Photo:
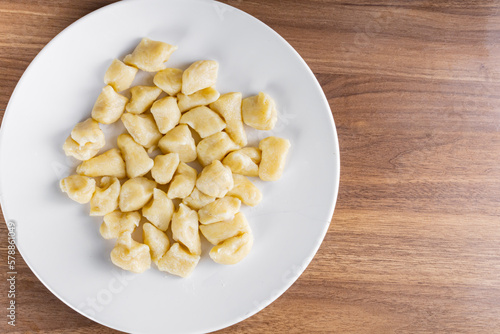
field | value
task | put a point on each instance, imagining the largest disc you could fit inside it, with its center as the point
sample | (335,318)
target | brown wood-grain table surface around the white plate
(414,245)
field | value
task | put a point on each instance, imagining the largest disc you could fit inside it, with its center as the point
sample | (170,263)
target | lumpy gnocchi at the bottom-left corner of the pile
(131,255)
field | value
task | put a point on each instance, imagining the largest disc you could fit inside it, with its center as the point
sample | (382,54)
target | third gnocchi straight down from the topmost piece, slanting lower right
(142,128)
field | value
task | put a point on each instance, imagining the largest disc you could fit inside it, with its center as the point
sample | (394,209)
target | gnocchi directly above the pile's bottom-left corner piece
(117,222)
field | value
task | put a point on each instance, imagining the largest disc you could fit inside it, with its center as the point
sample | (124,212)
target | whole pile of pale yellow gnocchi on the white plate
(146,181)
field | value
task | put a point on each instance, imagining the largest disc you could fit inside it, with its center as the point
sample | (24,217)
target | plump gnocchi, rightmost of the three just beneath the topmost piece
(199,75)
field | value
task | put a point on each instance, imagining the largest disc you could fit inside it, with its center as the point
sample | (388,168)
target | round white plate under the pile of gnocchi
(61,243)
